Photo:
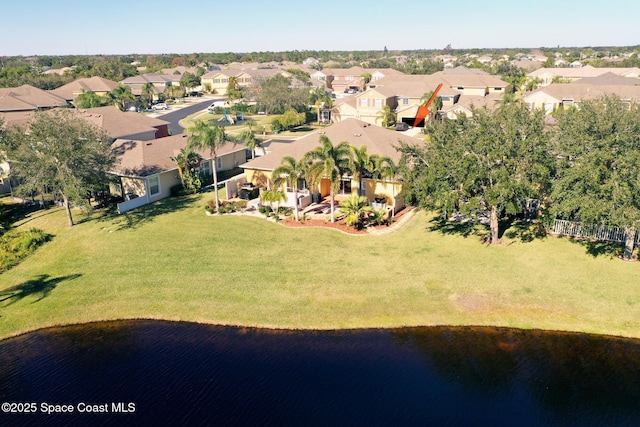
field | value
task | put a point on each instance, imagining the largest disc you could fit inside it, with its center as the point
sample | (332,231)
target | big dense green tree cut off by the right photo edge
(598,179)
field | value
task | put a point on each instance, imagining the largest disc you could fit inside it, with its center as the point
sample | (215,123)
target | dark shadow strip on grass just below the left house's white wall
(138,217)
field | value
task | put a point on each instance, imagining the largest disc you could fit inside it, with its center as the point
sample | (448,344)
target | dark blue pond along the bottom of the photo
(165,373)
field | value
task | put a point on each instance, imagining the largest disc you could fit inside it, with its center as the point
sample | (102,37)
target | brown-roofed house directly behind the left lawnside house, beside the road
(119,124)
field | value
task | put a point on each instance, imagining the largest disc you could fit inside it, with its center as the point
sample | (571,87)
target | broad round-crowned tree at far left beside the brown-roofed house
(63,152)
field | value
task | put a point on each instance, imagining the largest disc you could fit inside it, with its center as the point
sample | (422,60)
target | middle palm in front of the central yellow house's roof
(329,162)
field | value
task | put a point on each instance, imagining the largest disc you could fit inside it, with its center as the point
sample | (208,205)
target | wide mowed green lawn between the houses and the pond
(171,261)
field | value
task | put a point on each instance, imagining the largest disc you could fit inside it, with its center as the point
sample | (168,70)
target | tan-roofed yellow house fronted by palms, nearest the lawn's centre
(377,140)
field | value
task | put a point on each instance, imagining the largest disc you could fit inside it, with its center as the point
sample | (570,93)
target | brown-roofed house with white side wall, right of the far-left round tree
(147,172)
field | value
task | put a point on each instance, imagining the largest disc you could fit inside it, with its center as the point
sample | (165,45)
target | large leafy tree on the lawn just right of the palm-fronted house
(491,161)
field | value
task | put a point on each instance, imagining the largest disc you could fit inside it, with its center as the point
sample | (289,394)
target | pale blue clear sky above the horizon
(114,27)
